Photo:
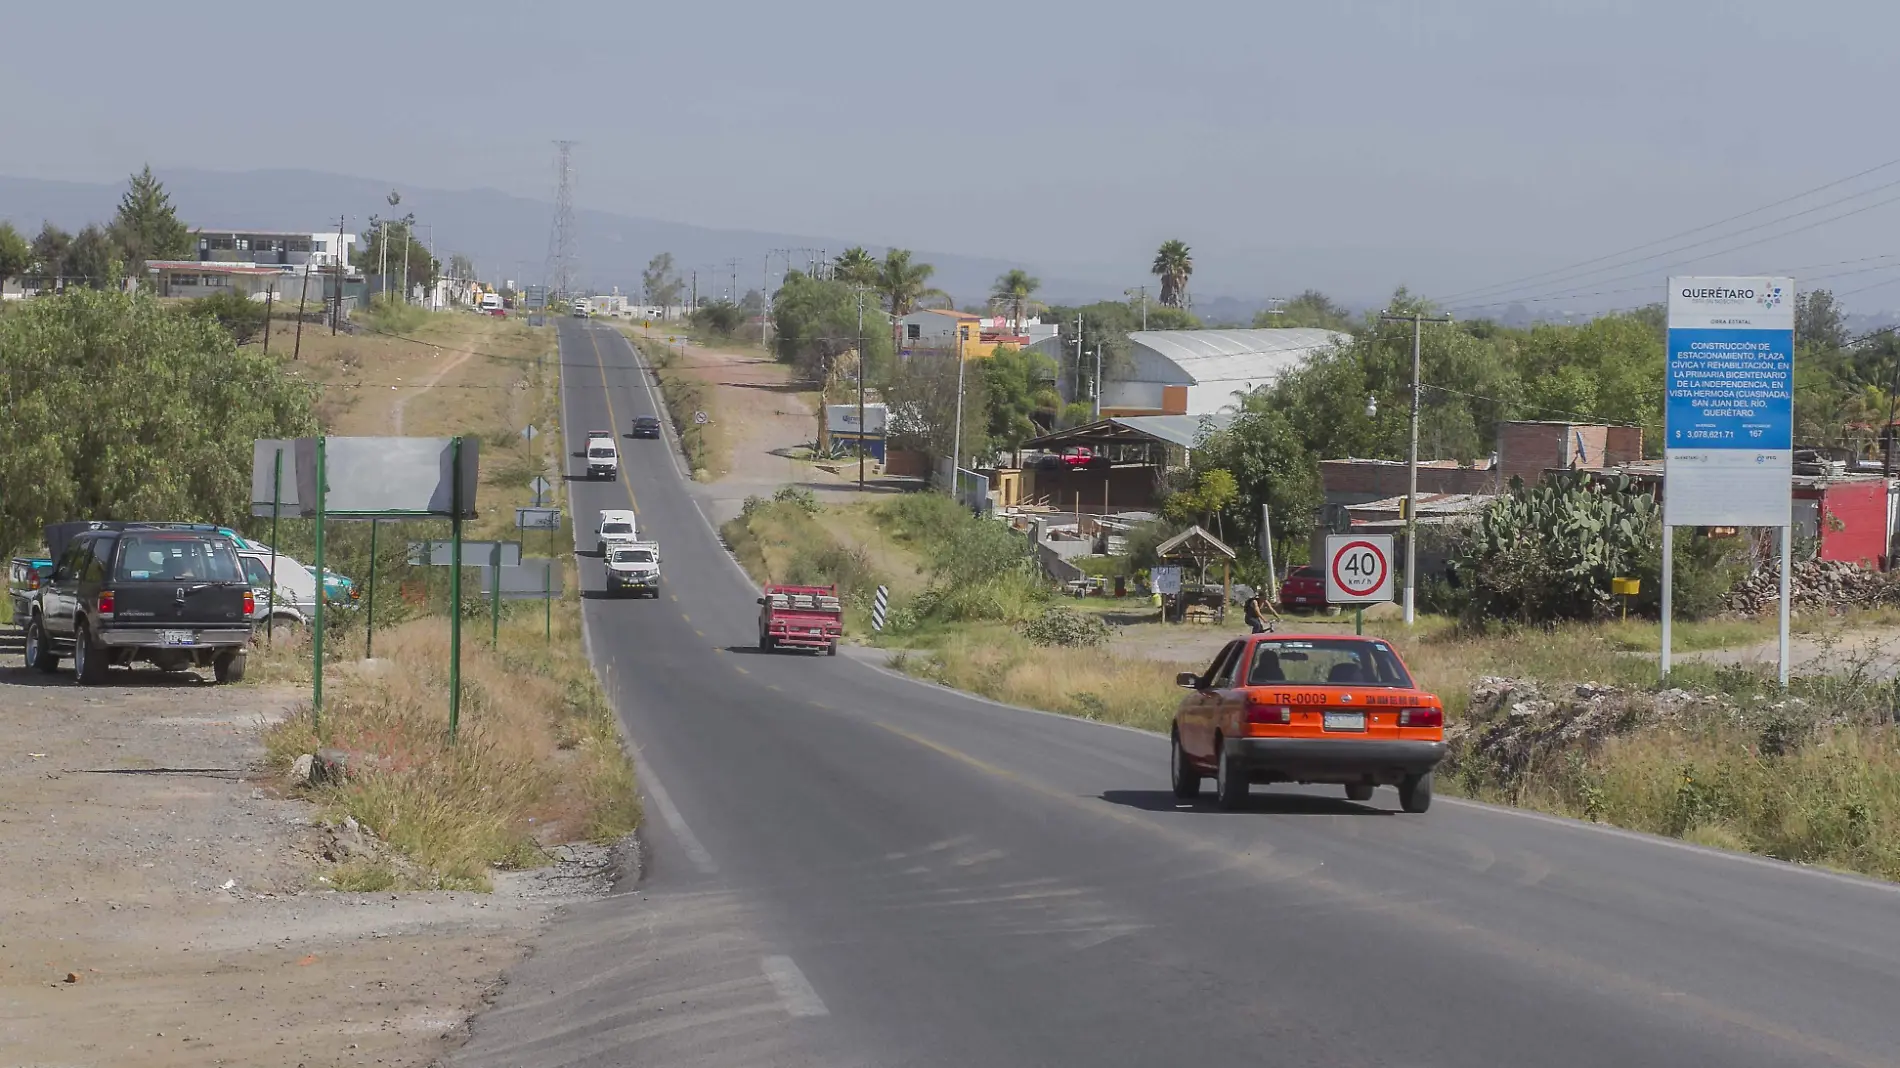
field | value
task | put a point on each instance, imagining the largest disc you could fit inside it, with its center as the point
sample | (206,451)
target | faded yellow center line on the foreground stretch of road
(1263,864)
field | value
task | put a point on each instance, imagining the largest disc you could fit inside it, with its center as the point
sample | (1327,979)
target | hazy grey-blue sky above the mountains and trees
(1350,145)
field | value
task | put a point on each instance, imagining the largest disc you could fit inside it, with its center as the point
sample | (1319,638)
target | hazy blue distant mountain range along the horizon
(504,235)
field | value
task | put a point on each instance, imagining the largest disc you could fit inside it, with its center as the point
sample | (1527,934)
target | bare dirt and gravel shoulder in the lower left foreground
(162,900)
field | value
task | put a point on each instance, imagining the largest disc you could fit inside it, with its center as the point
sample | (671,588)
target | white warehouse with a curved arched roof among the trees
(1198,373)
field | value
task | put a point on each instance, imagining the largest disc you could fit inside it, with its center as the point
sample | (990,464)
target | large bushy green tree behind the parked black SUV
(115,408)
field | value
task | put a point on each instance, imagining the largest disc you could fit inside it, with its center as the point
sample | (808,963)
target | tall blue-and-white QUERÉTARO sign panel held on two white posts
(1728,432)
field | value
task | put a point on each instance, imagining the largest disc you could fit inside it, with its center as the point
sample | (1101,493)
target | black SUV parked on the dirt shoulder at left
(124,592)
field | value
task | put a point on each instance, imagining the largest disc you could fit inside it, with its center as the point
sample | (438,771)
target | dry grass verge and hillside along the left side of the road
(539,755)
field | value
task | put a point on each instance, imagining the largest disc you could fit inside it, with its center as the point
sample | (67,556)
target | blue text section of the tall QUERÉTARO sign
(1730,389)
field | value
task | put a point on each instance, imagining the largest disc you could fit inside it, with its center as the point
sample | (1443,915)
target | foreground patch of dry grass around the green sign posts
(537,759)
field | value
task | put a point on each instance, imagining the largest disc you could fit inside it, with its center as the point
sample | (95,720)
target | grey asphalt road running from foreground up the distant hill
(852,869)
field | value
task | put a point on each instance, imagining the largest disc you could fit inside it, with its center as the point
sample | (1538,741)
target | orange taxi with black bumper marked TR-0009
(1308,710)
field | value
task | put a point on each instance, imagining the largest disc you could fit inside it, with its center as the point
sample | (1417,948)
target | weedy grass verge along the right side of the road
(1812,776)
